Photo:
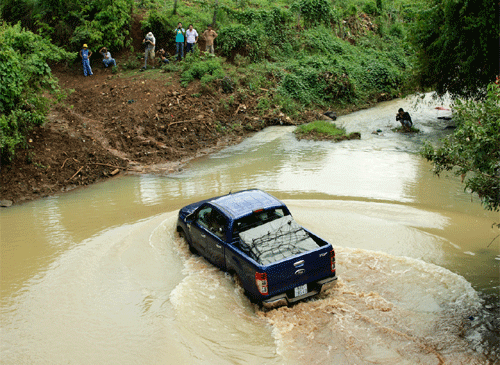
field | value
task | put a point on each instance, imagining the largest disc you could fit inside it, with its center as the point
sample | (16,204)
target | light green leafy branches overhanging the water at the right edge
(473,151)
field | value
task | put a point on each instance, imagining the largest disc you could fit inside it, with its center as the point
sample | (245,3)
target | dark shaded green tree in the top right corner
(458,46)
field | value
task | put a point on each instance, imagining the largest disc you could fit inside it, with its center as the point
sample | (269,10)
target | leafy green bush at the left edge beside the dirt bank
(24,78)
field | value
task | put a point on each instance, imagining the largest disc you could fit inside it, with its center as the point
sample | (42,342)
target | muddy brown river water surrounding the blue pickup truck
(99,276)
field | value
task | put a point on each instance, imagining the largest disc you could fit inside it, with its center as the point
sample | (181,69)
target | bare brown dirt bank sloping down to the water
(127,123)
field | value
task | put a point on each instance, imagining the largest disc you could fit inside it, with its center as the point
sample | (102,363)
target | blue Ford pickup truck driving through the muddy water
(253,236)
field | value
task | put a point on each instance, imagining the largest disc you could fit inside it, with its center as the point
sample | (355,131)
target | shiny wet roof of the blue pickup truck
(245,202)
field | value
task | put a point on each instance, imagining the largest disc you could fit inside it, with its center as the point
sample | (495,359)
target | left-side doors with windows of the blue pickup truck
(209,232)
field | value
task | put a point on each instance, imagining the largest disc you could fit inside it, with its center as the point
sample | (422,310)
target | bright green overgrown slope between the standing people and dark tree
(313,53)
